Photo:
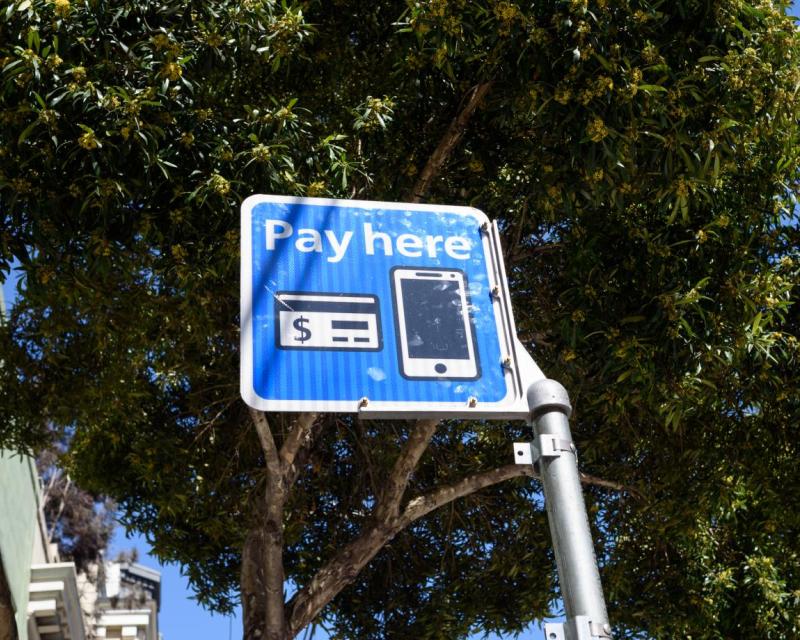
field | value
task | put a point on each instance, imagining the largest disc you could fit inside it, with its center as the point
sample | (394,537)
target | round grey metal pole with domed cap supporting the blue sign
(578,574)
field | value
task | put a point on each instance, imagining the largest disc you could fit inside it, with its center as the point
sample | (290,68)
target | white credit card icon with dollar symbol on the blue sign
(327,321)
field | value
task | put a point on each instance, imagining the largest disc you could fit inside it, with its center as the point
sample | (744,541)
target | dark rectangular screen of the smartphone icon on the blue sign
(435,322)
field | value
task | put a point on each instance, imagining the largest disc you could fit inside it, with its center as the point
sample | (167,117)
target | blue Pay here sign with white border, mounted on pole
(385,309)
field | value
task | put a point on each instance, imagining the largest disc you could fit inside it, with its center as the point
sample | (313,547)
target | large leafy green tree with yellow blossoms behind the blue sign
(641,158)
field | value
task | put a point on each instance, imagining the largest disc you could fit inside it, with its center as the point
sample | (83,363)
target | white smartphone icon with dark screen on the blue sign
(435,335)
